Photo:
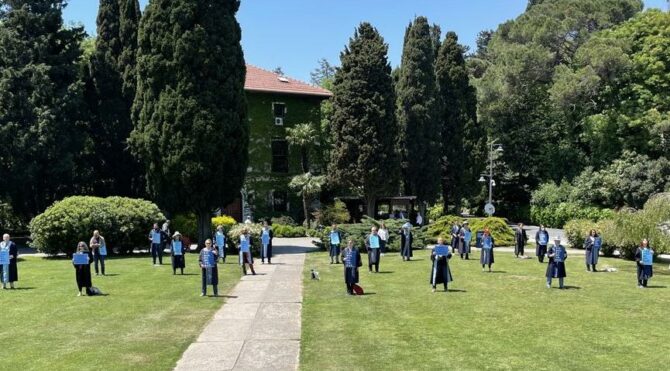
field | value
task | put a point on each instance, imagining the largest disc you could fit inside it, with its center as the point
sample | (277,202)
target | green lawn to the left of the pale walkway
(146,321)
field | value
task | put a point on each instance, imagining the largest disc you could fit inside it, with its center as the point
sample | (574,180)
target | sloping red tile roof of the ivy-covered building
(260,80)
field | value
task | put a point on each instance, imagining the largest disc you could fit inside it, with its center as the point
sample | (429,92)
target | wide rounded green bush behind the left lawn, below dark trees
(124,222)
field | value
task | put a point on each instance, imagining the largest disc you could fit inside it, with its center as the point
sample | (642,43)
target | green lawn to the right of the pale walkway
(502,320)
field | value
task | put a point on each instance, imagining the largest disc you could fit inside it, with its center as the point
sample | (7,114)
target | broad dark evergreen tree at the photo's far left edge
(41,127)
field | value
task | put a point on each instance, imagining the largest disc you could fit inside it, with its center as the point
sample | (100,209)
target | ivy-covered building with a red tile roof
(275,103)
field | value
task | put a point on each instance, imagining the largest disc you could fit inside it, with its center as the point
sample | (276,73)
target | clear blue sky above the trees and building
(295,34)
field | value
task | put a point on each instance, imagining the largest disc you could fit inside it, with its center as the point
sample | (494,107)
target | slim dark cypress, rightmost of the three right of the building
(463,139)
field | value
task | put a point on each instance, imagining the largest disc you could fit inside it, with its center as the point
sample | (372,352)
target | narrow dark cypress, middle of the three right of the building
(416,112)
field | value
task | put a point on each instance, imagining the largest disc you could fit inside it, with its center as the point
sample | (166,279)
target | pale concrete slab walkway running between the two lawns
(259,325)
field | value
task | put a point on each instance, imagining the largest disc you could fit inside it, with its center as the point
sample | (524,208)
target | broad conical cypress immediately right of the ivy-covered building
(363,121)
